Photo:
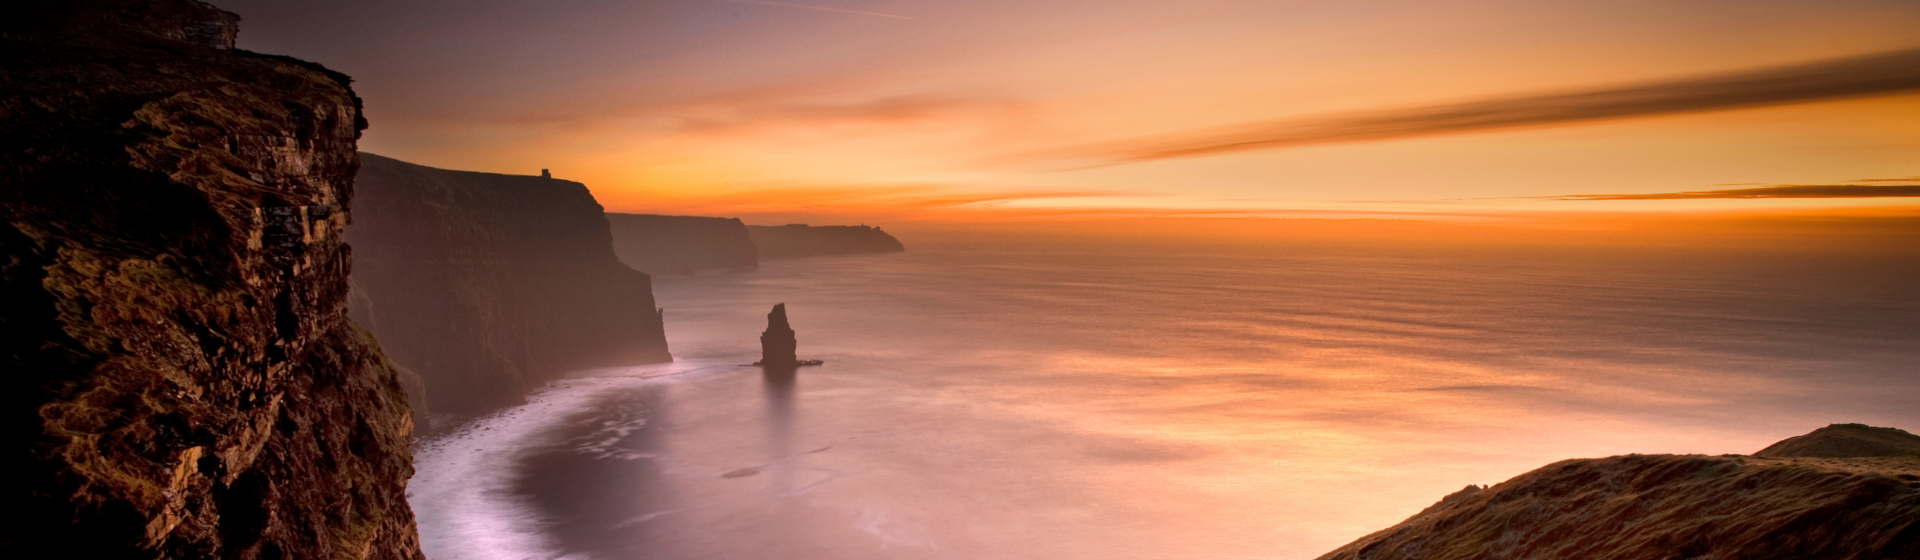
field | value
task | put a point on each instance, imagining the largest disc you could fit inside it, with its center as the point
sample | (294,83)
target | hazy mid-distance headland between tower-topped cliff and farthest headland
(665,246)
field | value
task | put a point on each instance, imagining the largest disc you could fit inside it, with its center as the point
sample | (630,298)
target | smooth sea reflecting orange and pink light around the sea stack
(1101,402)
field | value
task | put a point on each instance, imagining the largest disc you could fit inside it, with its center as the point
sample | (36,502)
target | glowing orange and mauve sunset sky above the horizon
(1047,110)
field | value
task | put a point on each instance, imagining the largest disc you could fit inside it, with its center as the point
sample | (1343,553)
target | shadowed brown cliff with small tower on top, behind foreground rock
(491,285)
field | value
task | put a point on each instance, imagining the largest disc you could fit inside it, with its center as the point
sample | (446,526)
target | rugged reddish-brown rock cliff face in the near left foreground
(181,377)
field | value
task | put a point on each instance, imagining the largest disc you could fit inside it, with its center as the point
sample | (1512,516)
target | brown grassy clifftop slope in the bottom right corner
(1660,507)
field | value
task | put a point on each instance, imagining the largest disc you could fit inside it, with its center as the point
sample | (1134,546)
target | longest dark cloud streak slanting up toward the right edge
(1848,78)
